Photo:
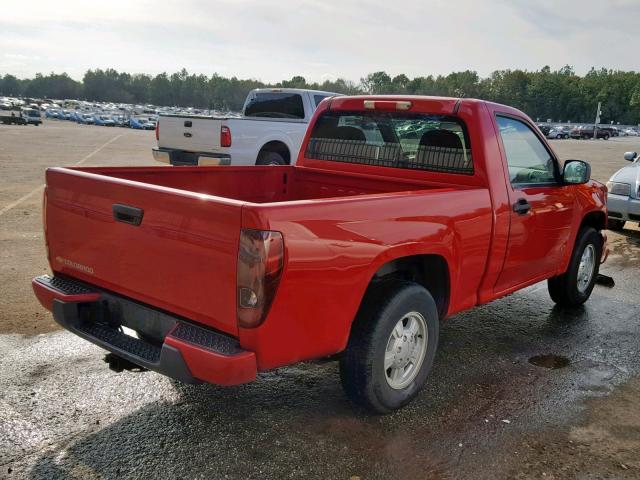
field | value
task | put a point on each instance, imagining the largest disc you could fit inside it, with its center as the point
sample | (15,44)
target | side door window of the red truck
(528,159)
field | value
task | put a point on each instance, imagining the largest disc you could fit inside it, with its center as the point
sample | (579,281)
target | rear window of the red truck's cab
(437,143)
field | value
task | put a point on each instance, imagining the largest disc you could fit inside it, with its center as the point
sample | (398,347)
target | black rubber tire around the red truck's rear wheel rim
(362,370)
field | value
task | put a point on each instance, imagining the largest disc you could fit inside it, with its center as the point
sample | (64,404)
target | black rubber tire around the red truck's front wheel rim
(564,289)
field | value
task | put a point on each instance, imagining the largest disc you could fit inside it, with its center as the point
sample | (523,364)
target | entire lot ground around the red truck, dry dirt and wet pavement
(486,412)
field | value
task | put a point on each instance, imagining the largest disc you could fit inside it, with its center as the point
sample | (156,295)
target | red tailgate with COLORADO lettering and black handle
(181,258)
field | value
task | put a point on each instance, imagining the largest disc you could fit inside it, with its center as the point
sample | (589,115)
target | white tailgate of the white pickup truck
(193,134)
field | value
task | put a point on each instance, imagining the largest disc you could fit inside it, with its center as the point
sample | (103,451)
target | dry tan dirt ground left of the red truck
(25,153)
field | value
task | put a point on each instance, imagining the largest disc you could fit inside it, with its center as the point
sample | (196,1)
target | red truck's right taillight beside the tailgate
(260,264)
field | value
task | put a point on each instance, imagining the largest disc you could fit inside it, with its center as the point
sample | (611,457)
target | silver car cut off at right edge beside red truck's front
(623,199)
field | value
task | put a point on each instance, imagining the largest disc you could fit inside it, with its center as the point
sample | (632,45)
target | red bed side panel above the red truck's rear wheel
(334,249)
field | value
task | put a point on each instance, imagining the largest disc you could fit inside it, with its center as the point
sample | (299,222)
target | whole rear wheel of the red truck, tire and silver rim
(391,348)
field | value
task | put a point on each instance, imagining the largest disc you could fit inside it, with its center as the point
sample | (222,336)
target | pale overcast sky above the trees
(319,39)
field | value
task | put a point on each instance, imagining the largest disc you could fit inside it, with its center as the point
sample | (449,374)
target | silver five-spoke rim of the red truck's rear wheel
(405,351)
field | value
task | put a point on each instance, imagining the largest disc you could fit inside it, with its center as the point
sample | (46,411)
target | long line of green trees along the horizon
(560,95)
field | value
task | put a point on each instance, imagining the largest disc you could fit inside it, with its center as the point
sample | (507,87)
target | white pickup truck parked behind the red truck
(270,131)
